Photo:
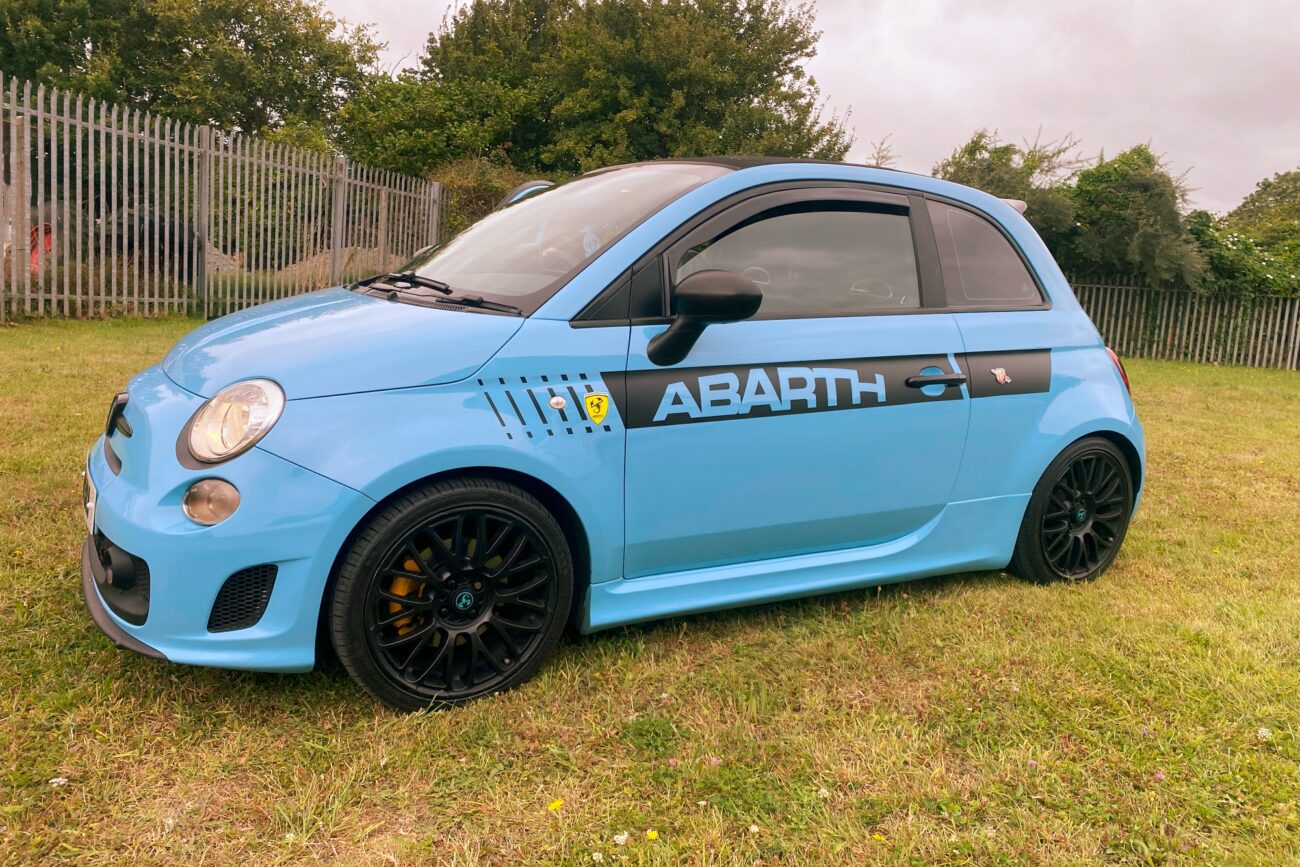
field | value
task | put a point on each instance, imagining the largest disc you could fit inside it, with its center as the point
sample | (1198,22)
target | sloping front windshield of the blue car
(521,254)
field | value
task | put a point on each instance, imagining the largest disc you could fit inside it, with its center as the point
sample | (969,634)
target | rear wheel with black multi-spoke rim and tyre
(1077,517)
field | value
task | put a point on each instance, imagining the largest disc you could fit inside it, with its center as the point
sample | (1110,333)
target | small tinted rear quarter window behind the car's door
(981,267)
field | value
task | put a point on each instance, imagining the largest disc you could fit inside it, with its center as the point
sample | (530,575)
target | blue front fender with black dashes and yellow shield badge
(501,419)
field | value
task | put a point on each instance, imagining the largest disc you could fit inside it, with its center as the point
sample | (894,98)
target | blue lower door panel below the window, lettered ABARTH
(803,479)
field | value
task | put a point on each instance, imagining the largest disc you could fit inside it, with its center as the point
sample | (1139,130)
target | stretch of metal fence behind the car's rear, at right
(1191,327)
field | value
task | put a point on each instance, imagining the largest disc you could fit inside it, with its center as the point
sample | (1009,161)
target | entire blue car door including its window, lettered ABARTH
(805,428)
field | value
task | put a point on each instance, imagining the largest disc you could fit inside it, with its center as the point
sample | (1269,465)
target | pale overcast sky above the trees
(1214,86)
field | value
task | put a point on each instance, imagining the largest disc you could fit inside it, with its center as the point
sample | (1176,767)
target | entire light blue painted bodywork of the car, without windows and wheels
(671,519)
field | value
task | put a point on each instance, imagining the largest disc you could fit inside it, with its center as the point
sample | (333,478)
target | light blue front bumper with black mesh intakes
(289,518)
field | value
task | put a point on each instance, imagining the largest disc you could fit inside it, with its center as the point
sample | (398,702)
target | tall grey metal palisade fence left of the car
(109,210)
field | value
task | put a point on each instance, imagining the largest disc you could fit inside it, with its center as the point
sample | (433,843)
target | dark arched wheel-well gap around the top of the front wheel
(571,524)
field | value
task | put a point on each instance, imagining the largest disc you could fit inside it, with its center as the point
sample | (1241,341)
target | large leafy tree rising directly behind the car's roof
(565,86)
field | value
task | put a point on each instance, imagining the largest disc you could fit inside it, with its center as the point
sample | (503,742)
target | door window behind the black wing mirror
(818,261)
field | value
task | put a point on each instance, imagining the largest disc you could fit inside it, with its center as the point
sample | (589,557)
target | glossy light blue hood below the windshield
(337,343)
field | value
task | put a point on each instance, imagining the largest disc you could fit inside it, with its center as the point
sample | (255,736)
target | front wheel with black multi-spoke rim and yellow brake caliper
(457,591)
